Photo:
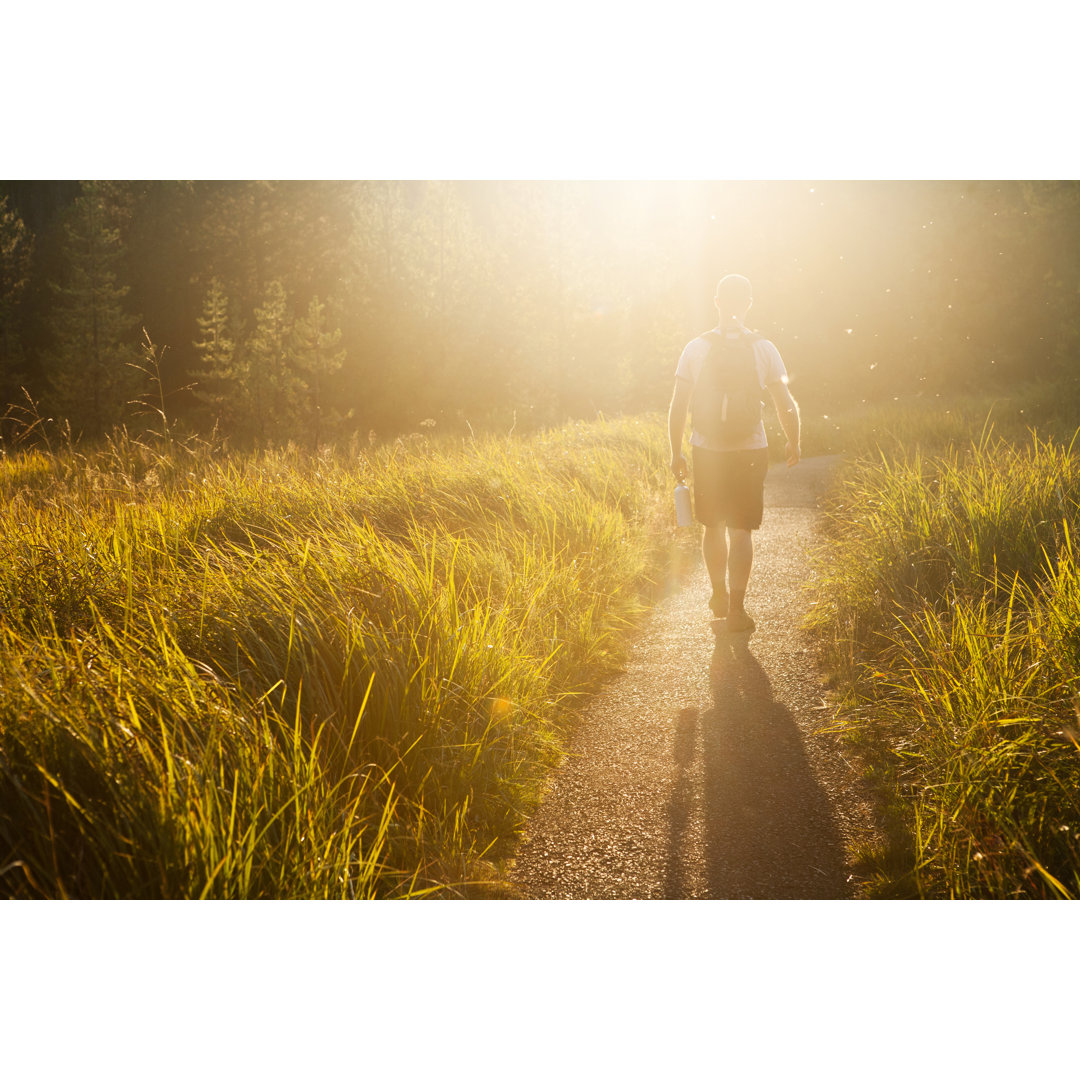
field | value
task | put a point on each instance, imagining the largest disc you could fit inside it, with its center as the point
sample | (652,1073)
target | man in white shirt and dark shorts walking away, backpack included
(730,462)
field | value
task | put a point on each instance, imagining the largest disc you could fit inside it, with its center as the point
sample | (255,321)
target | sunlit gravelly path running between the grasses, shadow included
(698,774)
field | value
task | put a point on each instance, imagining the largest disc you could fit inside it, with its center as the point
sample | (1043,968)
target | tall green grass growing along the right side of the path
(950,601)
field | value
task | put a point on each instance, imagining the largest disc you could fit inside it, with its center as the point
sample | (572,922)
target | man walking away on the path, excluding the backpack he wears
(730,475)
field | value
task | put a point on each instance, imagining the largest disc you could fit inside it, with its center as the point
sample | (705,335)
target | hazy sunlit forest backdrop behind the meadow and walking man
(312,310)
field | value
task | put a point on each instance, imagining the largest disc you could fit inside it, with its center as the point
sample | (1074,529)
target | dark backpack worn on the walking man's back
(727,399)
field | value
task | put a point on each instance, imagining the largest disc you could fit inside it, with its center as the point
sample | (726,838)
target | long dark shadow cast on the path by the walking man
(769,832)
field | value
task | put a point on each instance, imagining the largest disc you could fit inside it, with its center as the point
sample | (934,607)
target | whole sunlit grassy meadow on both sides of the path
(280,674)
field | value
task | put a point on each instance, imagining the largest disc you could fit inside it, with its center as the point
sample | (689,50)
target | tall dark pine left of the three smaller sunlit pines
(94,339)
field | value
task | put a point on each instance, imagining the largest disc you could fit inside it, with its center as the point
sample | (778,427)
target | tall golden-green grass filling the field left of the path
(281,676)
